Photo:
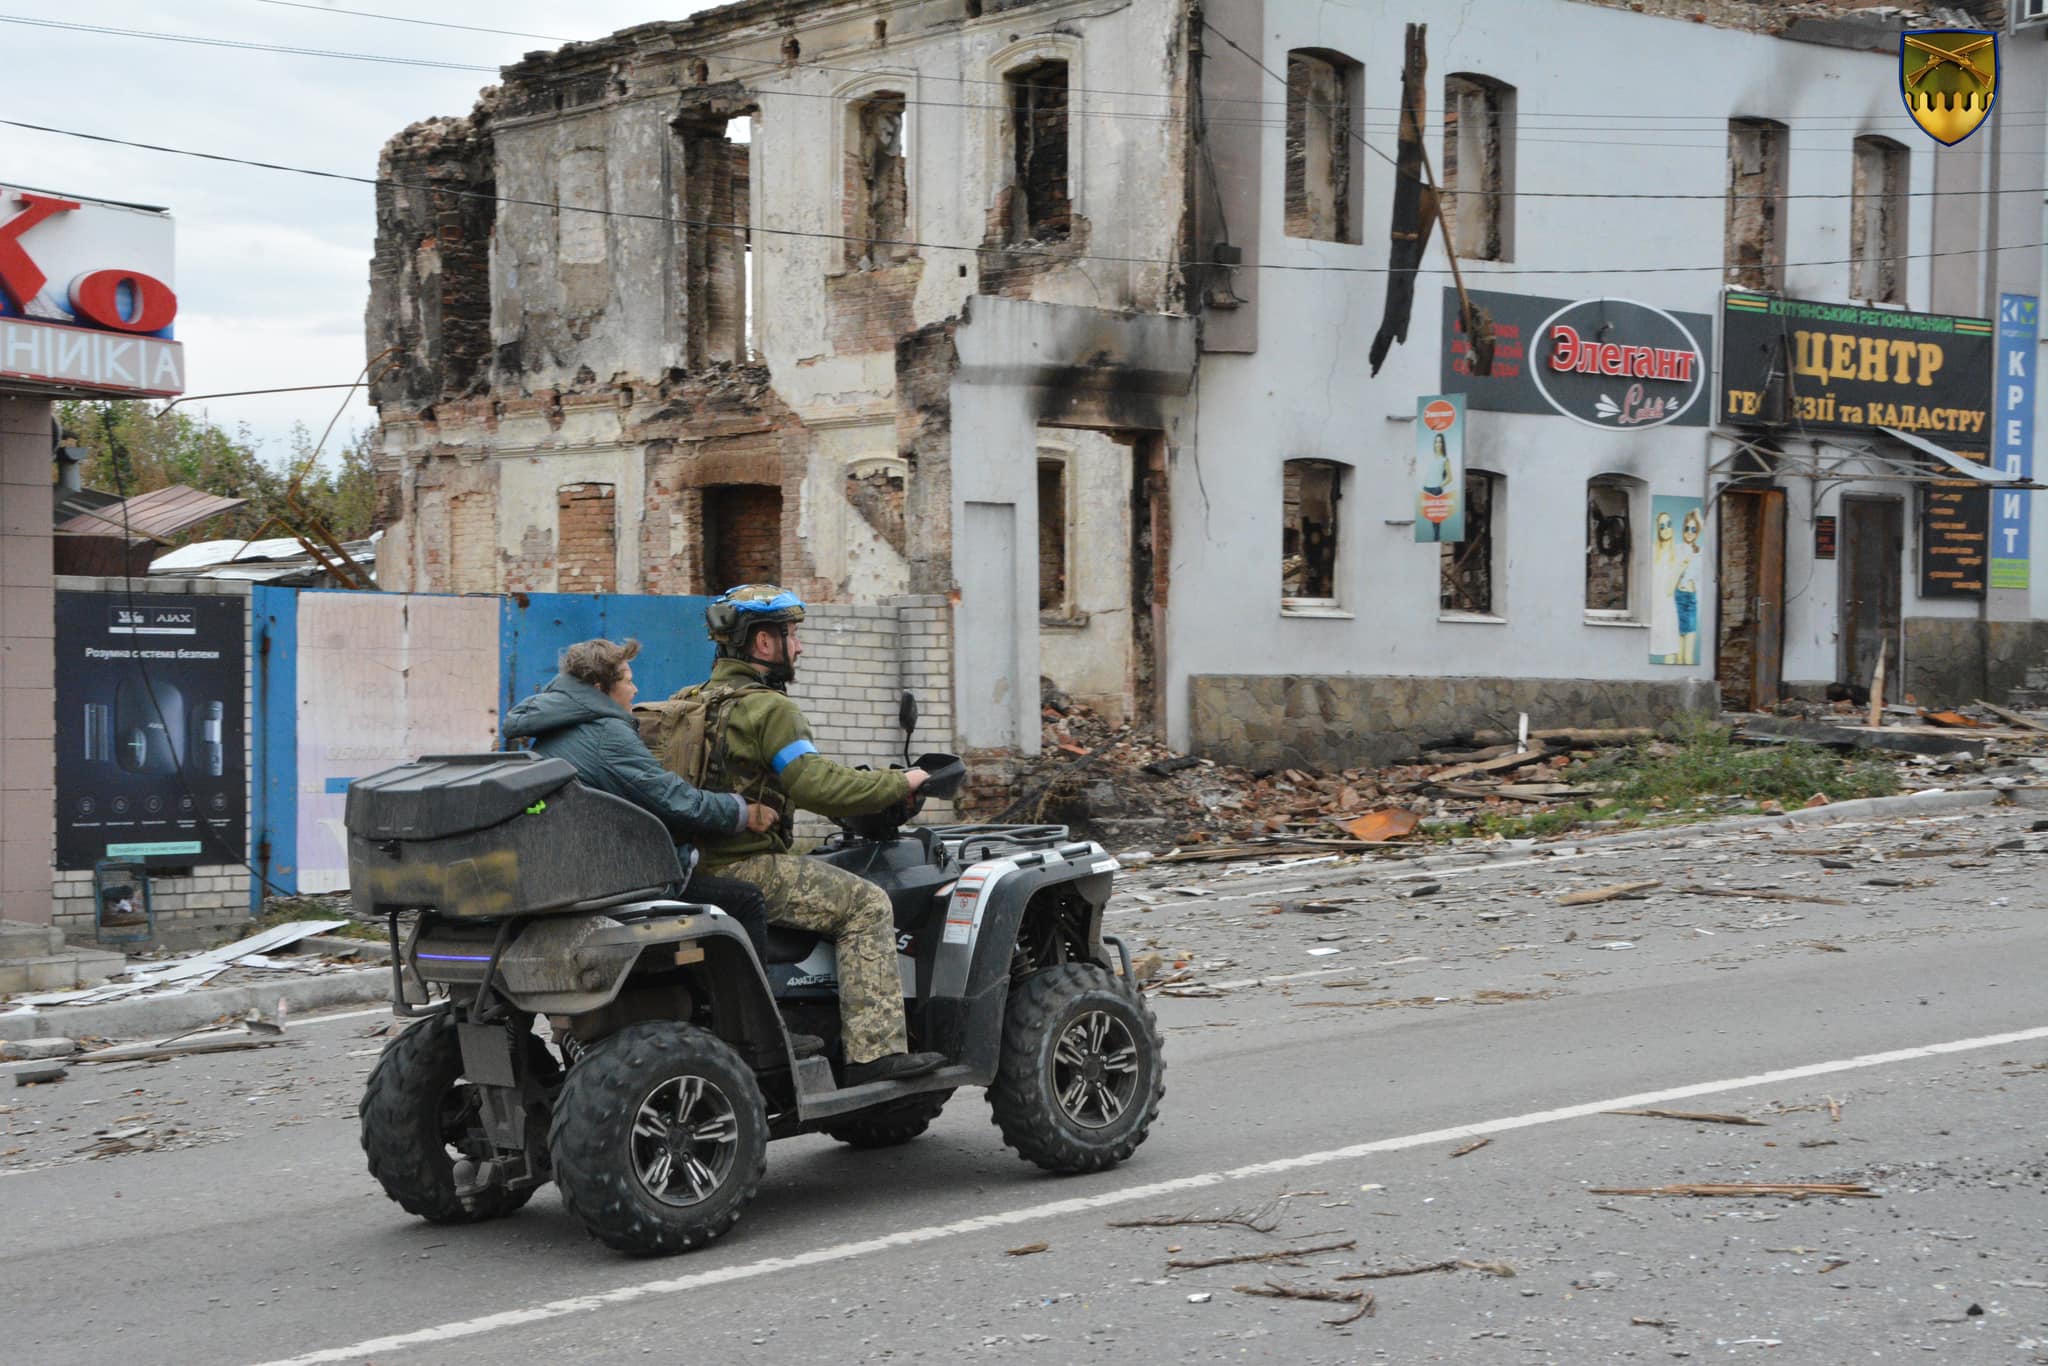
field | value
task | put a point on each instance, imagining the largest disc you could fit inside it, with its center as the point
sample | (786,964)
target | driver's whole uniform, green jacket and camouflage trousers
(761,749)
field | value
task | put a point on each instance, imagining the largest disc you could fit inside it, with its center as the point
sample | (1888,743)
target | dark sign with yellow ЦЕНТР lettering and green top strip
(1852,370)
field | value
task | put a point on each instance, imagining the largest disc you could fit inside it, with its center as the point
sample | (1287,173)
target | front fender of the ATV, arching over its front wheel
(988,906)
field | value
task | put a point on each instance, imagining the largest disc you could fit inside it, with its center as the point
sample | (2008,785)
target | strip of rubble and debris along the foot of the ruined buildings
(1121,785)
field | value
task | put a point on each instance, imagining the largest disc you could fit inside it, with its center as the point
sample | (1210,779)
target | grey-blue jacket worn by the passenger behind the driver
(568,720)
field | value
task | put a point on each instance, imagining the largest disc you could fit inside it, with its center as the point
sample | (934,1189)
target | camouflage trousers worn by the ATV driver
(806,894)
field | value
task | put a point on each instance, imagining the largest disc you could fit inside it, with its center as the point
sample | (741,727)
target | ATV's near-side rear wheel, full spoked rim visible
(660,1138)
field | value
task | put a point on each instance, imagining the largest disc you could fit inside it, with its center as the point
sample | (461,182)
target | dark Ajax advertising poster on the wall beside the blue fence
(151,755)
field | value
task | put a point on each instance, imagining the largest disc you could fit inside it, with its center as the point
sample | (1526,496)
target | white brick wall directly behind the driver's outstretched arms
(857,663)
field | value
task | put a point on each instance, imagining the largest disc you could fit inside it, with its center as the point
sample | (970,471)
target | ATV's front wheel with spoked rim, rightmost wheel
(1082,1070)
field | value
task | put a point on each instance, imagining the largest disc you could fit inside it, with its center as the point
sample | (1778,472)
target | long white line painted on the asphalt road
(912,1238)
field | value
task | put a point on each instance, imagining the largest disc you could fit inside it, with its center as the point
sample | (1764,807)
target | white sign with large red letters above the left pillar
(87,302)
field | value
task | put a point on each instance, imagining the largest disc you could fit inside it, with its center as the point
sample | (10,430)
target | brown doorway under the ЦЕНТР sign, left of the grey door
(1752,644)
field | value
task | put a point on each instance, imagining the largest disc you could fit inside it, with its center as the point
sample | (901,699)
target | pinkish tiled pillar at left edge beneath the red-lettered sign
(28,667)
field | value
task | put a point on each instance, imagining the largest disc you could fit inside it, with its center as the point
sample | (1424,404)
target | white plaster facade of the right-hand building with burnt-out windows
(1308,394)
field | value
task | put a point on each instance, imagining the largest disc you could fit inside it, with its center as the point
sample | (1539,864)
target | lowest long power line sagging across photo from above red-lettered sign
(1050,253)
